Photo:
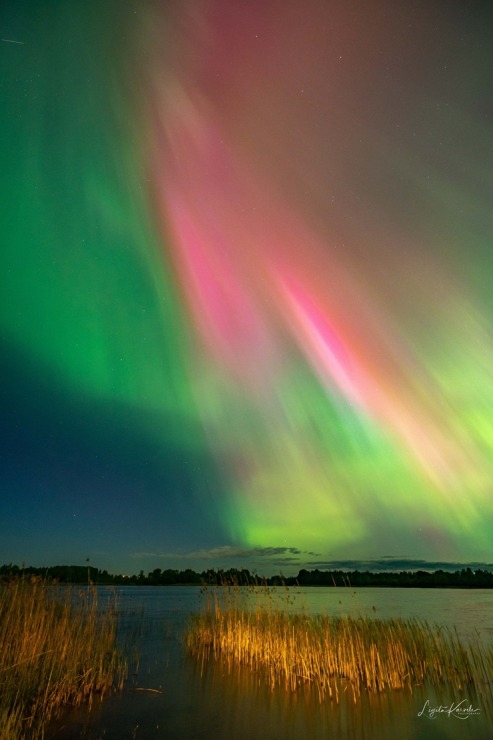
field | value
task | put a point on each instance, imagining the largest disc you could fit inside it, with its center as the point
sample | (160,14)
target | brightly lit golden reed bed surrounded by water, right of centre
(334,654)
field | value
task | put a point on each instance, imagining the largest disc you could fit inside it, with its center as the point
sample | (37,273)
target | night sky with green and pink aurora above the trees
(246,283)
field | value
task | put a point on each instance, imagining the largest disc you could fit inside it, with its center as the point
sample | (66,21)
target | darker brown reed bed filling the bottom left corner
(57,648)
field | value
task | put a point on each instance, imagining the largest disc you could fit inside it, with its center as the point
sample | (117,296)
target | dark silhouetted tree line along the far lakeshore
(84,574)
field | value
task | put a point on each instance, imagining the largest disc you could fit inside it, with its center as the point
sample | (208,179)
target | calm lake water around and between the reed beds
(171,695)
